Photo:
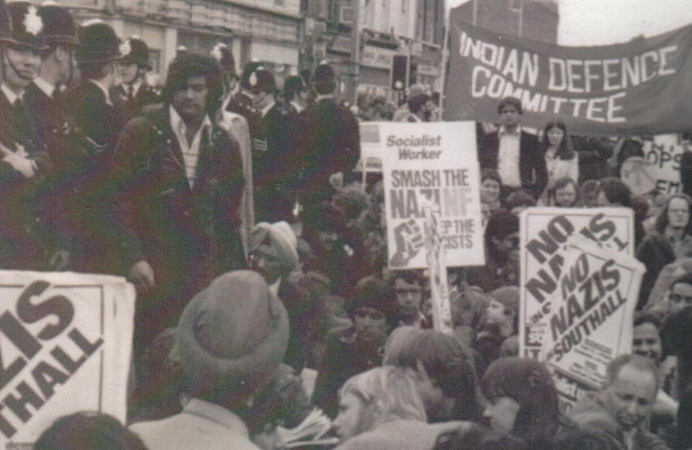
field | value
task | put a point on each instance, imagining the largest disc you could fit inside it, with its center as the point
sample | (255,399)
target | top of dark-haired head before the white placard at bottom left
(88,431)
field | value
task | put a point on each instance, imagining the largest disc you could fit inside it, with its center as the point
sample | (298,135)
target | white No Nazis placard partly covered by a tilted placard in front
(545,234)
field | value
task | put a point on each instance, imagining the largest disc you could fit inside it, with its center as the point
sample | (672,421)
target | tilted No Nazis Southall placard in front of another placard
(590,322)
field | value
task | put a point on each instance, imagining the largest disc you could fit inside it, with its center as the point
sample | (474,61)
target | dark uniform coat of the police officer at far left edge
(23,234)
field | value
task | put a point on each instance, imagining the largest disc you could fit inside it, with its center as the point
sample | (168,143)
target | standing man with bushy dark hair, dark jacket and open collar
(179,182)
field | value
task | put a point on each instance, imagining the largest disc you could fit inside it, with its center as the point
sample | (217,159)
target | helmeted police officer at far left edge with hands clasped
(23,165)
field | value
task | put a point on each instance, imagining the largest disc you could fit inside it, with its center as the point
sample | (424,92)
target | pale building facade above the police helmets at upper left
(265,30)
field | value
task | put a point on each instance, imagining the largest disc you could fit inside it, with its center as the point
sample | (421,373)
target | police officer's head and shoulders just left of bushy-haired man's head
(134,94)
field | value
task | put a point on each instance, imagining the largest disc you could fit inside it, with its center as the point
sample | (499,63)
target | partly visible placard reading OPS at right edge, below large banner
(665,152)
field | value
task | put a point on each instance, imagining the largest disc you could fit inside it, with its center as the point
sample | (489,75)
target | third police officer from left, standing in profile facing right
(98,123)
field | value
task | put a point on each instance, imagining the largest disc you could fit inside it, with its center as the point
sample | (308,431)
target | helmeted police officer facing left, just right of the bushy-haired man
(274,162)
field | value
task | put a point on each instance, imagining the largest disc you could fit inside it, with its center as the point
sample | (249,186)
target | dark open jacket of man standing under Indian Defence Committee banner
(532,170)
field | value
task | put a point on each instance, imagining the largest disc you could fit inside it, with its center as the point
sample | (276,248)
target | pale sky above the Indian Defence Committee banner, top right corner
(602,22)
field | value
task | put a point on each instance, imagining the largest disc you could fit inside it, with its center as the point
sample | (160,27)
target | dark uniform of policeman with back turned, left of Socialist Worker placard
(332,143)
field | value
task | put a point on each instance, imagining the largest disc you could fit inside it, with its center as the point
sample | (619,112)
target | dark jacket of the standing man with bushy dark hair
(188,235)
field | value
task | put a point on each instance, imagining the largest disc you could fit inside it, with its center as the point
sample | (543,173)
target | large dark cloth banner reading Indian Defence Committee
(641,87)
